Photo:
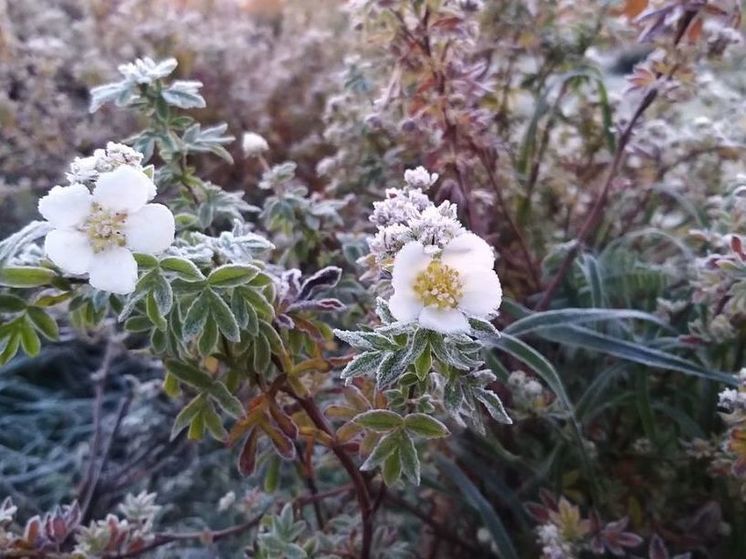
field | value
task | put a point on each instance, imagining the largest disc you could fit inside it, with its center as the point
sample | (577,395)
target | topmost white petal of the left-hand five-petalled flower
(125,189)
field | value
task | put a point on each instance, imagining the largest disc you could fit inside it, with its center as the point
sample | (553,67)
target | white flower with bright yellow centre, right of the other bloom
(440,292)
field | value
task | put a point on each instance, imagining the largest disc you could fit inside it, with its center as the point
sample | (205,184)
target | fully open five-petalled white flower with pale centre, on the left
(95,234)
